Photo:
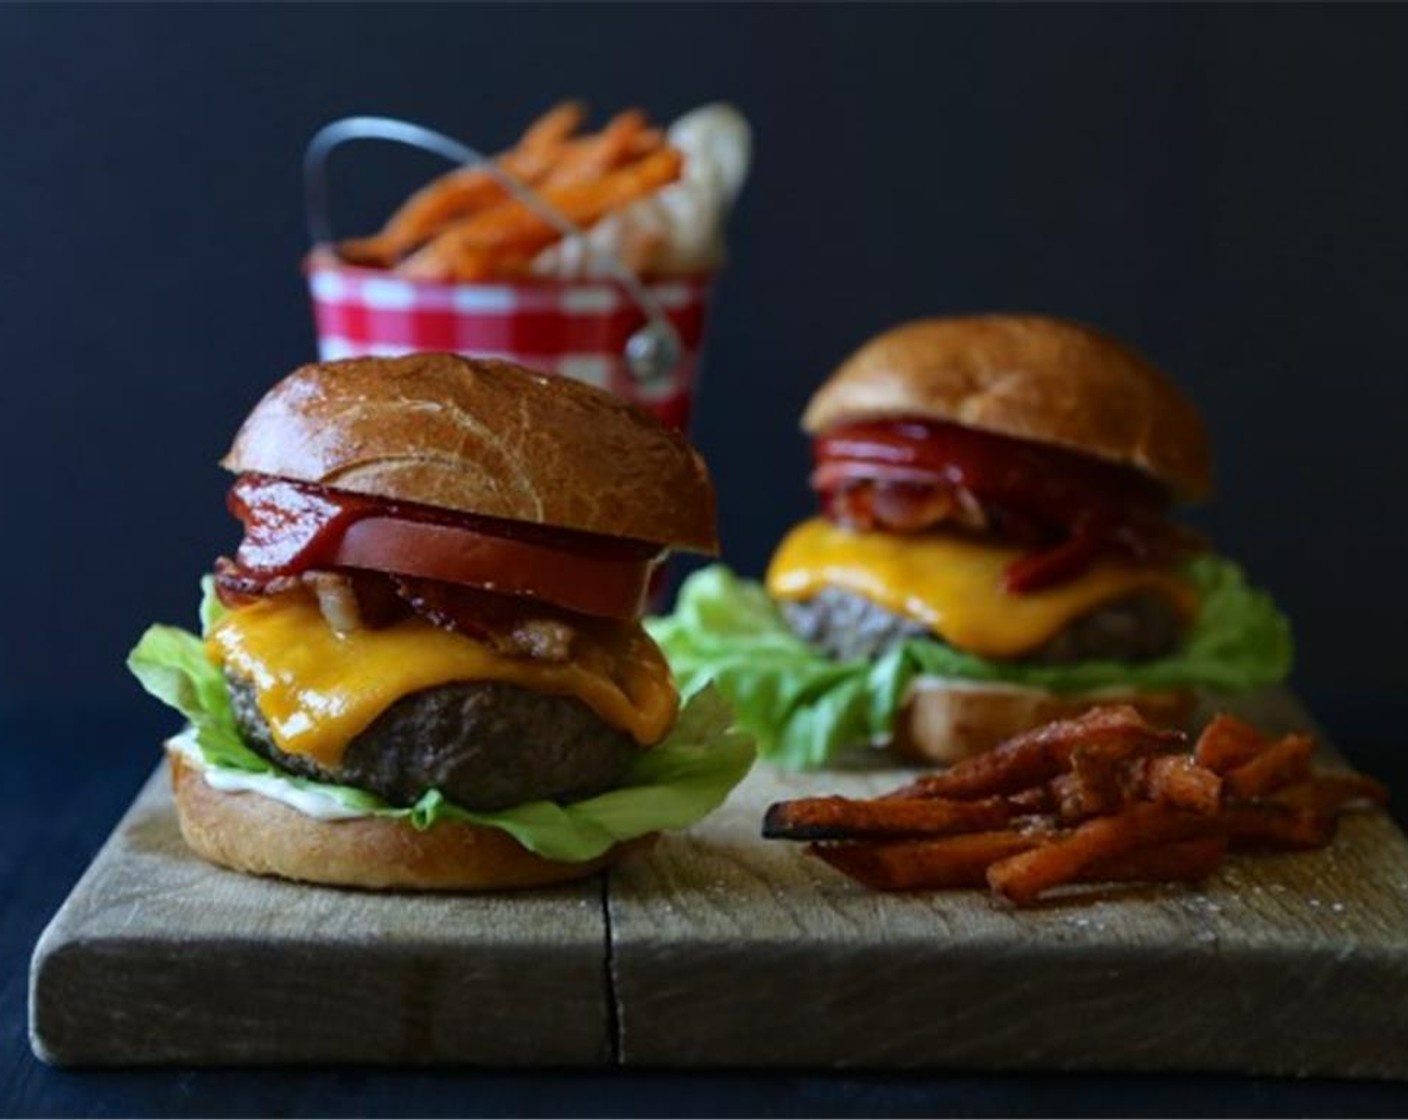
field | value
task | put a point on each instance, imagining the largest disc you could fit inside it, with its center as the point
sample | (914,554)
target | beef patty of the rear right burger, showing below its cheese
(847,626)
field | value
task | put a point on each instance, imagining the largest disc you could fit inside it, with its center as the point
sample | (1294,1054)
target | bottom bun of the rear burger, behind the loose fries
(948,722)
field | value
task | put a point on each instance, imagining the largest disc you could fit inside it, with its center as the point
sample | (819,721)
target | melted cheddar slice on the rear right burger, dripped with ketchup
(955,585)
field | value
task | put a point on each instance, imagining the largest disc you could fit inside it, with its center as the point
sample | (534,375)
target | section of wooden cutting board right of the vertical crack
(734,953)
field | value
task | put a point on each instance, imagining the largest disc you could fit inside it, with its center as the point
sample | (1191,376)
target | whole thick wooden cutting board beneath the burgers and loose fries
(723,950)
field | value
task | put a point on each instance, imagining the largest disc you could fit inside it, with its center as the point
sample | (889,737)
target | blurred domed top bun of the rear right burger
(1030,377)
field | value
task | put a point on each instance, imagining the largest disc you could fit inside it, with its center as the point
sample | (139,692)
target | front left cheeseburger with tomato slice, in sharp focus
(423,666)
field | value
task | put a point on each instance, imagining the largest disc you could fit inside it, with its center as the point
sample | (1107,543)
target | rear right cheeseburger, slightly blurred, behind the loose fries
(993,550)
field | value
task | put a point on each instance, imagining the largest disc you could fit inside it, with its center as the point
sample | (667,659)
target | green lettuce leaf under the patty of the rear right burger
(805,708)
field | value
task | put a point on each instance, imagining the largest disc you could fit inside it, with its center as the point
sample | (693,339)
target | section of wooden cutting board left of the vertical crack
(163,959)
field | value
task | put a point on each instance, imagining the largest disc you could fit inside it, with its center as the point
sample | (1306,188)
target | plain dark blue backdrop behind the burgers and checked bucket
(1224,187)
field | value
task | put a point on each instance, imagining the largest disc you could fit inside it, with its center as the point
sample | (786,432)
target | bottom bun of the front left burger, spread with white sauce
(256,835)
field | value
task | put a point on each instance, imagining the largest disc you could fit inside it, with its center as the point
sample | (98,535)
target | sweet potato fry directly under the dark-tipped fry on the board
(947,864)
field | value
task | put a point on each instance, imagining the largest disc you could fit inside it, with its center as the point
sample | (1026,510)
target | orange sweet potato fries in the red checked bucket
(467,228)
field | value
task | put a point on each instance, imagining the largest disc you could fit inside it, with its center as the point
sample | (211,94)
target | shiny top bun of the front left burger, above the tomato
(482,437)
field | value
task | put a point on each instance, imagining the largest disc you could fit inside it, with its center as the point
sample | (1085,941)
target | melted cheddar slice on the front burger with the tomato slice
(319,688)
